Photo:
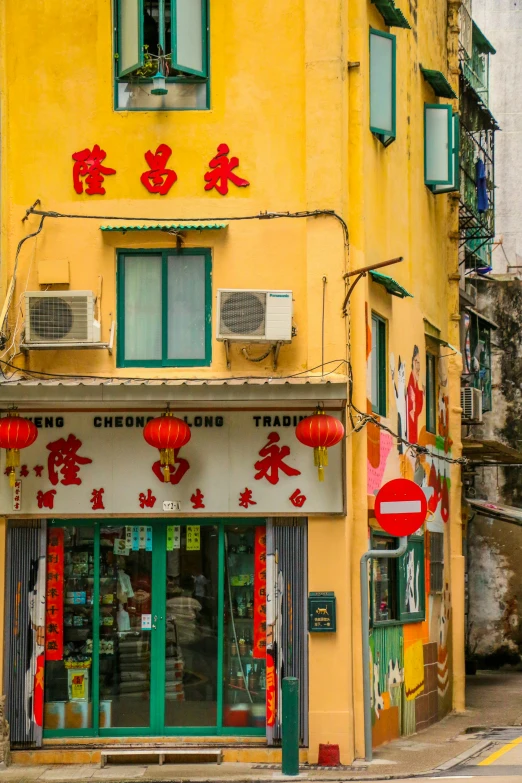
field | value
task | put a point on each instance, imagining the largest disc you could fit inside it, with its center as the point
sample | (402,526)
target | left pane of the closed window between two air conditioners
(142,307)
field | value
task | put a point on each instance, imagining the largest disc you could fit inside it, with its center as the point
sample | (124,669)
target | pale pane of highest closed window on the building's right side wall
(381,84)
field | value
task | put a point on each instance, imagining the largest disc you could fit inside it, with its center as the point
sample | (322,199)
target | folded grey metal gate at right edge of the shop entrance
(287,590)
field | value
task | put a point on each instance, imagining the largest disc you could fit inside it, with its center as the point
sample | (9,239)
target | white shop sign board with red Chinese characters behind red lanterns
(214,473)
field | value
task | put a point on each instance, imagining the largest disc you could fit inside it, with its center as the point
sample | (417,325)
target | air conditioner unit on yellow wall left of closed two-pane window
(60,318)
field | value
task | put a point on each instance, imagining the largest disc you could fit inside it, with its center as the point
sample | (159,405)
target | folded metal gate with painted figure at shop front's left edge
(24,631)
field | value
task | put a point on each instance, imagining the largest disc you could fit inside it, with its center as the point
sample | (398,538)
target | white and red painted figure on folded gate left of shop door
(35,668)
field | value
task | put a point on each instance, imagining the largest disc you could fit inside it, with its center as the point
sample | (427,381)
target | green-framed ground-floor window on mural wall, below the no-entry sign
(405,600)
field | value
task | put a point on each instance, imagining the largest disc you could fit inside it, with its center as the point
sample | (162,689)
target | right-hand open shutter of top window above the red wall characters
(189,36)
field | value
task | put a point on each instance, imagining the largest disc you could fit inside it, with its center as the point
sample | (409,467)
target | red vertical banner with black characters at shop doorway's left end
(54,596)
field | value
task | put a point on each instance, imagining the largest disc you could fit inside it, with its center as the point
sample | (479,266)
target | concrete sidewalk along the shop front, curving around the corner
(493,699)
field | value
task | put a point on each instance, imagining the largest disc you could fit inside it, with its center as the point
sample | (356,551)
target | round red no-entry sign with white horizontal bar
(400,507)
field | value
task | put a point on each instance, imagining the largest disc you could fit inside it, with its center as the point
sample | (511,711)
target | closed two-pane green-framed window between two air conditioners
(164,308)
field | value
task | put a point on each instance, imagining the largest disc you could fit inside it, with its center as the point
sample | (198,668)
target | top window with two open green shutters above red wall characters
(169,36)
